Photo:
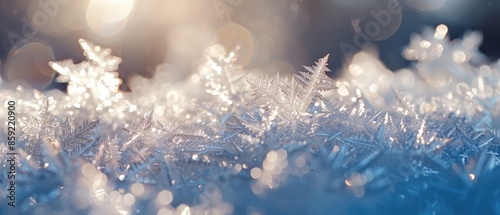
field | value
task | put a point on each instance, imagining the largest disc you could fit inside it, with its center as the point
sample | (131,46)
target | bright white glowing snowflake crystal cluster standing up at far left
(92,84)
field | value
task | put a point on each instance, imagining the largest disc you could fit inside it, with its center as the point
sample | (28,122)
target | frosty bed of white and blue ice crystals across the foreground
(282,145)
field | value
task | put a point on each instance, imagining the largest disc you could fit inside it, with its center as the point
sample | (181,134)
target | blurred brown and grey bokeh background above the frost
(278,35)
